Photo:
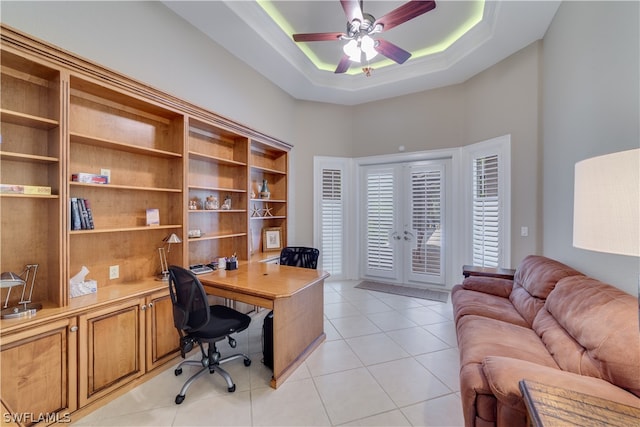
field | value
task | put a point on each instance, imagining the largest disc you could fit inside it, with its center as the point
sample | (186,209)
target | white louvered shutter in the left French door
(380,220)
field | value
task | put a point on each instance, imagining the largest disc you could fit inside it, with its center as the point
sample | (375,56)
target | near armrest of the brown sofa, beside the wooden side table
(504,374)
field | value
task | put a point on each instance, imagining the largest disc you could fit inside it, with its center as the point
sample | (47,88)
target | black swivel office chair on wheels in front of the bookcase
(199,323)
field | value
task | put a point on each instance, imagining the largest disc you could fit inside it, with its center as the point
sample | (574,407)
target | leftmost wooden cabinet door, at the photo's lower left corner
(38,369)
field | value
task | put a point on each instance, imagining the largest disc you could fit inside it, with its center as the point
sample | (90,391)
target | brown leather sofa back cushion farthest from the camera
(535,277)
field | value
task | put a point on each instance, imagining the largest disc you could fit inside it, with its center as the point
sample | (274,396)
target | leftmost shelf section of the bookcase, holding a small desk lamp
(31,153)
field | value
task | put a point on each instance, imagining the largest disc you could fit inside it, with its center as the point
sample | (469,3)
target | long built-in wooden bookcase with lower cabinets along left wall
(62,115)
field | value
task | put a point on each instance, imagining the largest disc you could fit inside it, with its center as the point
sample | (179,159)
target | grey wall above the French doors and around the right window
(502,100)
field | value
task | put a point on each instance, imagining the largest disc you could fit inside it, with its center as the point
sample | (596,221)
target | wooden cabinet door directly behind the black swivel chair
(163,340)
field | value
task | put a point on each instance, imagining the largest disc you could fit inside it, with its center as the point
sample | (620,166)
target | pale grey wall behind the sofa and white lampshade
(591,107)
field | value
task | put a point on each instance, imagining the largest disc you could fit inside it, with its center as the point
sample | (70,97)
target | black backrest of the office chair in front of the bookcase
(190,303)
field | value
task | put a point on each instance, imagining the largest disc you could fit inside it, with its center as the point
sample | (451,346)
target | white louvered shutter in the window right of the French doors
(486,212)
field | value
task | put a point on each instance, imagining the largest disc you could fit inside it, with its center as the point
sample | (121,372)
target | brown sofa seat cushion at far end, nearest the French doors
(466,302)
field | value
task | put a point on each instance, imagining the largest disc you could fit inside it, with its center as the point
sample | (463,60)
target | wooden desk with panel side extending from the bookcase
(295,295)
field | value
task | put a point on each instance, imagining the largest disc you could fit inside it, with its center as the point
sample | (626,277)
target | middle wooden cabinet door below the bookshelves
(111,348)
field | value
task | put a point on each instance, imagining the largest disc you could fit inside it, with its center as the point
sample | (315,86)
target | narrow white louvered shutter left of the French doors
(332,221)
